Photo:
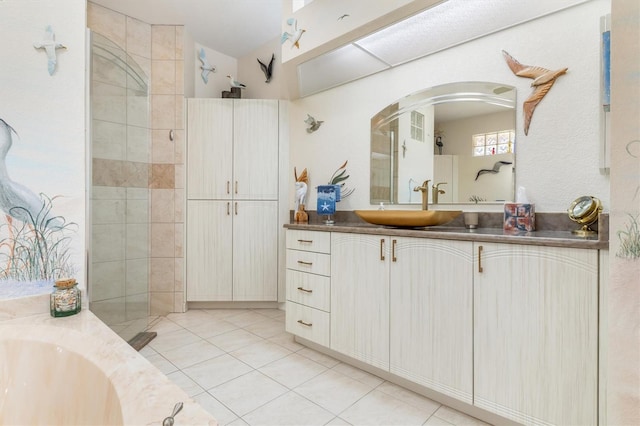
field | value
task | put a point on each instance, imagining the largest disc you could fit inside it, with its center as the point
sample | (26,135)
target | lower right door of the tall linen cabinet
(255,250)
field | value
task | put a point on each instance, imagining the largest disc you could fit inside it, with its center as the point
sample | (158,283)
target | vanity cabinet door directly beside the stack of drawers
(360,297)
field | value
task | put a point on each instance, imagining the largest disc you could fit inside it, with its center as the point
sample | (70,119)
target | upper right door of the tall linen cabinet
(255,155)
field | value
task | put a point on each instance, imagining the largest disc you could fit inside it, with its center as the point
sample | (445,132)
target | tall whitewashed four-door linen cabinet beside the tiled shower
(234,214)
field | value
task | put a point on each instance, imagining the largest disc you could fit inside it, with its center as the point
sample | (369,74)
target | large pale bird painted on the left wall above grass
(16,200)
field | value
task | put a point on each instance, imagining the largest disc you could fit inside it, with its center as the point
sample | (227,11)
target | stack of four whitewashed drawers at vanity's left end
(308,285)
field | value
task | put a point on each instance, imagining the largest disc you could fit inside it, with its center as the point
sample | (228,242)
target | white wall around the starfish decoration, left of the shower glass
(47,111)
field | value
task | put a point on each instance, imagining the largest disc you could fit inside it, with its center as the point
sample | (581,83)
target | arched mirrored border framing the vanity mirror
(502,95)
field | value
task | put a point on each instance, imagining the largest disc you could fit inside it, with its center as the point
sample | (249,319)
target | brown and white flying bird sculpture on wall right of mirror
(543,79)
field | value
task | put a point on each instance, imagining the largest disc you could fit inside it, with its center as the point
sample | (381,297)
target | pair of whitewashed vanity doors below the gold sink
(405,305)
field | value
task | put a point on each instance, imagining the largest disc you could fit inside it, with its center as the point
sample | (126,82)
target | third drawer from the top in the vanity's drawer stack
(309,289)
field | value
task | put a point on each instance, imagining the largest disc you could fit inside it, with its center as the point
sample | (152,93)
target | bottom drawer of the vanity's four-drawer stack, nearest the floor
(308,323)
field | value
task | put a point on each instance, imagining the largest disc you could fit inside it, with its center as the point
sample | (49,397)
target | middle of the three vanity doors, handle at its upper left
(431,290)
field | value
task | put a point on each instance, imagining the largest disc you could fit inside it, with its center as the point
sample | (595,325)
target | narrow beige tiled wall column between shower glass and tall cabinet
(167,170)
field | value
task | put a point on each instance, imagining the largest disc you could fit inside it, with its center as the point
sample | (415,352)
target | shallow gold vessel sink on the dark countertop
(408,218)
